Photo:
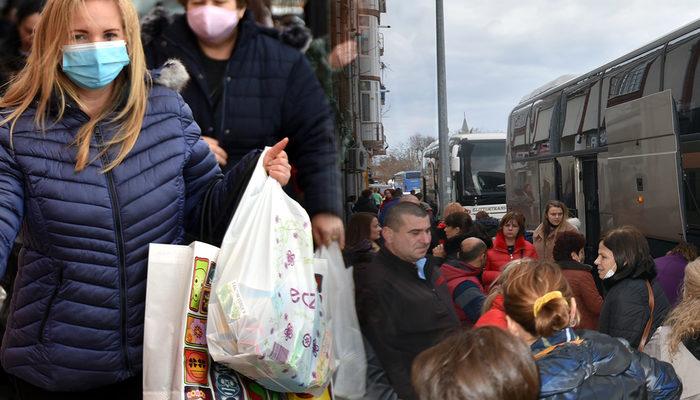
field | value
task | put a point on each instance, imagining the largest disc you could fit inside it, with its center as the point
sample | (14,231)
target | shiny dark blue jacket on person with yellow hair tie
(591,365)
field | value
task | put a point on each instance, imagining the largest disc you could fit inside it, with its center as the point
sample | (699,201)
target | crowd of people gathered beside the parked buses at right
(504,318)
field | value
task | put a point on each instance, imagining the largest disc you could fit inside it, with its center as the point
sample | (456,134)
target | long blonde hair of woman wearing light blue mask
(42,79)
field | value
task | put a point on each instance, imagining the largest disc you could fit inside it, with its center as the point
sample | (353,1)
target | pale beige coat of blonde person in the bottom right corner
(686,365)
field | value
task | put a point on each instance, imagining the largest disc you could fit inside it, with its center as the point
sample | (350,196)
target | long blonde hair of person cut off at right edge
(683,320)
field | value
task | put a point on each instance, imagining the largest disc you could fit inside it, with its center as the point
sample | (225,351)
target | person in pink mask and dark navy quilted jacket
(248,90)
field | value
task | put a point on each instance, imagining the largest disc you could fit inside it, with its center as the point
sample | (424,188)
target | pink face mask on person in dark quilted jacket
(212,24)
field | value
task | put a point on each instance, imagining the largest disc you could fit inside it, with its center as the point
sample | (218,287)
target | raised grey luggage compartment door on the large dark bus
(643,167)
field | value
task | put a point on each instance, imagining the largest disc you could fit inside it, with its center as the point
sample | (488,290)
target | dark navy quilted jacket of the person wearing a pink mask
(269,92)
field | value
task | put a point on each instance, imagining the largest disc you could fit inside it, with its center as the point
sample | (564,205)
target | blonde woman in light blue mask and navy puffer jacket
(96,162)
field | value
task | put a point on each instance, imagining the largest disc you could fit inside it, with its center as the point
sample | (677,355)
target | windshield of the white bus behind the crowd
(485,161)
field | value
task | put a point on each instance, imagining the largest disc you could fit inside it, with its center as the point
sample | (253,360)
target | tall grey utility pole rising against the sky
(443,132)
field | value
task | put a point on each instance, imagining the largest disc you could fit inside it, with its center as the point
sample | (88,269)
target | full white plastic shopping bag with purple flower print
(265,315)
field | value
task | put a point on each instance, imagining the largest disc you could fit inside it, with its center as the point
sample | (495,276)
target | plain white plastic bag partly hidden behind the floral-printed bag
(339,297)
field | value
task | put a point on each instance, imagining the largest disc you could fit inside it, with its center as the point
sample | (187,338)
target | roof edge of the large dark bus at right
(684,30)
